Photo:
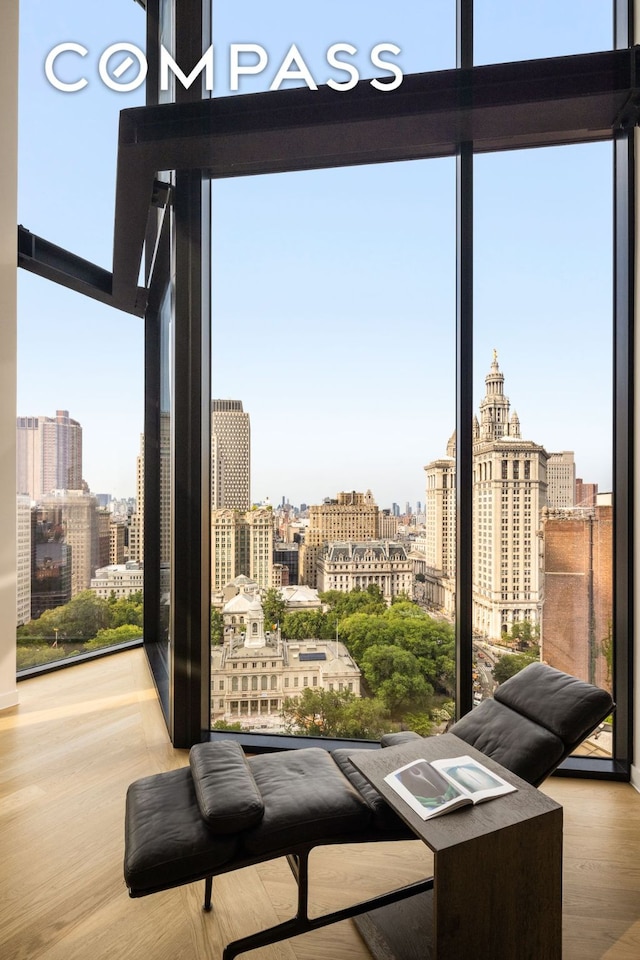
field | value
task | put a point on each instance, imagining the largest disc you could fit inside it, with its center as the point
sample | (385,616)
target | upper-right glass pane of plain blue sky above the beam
(504,30)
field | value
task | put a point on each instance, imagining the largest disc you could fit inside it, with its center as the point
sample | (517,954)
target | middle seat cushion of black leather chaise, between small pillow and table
(306,798)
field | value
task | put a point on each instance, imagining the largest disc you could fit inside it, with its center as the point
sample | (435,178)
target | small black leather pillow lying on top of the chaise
(228,797)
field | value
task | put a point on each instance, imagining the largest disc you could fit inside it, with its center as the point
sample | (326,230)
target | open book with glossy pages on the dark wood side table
(438,786)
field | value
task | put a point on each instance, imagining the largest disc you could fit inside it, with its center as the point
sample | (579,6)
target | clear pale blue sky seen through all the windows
(334,297)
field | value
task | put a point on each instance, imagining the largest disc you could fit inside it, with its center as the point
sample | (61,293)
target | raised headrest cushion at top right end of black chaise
(568,707)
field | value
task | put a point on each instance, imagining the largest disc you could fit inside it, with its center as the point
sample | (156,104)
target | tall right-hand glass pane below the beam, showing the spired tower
(543,524)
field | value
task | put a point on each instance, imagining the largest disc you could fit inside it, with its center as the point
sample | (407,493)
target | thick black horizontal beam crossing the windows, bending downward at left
(496,107)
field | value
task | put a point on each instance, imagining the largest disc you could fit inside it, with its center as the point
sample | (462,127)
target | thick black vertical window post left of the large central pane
(190,513)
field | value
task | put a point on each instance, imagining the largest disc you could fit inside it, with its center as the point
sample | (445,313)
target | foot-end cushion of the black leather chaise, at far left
(167,842)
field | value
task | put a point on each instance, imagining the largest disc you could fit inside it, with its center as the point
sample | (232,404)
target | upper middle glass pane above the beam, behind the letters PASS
(424,34)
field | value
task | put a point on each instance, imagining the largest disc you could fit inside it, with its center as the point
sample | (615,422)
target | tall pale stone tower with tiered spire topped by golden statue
(509,490)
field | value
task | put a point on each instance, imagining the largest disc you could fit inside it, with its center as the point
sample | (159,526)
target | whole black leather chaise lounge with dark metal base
(225,811)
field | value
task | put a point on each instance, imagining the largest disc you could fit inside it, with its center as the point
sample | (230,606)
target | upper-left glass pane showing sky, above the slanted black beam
(68,140)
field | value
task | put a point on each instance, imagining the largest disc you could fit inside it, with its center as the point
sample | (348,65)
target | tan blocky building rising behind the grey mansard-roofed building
(351,517)
